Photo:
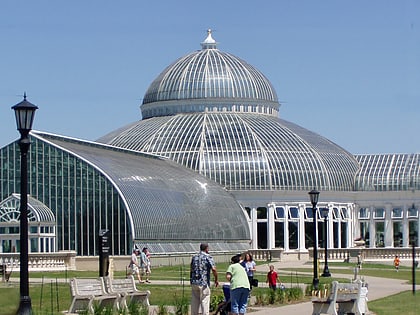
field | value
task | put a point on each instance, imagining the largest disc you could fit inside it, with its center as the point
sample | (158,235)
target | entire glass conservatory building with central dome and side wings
(212,160)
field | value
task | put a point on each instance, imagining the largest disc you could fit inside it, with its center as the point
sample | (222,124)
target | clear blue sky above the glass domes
(348,70)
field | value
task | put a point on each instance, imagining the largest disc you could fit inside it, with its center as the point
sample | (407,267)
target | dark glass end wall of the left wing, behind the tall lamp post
(81,198)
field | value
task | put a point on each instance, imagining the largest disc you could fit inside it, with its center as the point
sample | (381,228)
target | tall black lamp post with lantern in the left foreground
(24,112)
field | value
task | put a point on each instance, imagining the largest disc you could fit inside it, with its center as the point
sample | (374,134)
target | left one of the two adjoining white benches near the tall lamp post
(88,294)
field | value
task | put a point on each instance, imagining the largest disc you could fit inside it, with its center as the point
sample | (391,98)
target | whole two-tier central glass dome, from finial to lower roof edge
(216,114)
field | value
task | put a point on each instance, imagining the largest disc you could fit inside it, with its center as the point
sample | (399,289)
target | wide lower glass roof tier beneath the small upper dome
(243,151)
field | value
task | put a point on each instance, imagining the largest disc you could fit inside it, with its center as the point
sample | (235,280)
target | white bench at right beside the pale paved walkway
(344,298)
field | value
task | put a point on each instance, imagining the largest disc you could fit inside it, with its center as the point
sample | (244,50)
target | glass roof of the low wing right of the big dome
(388,172)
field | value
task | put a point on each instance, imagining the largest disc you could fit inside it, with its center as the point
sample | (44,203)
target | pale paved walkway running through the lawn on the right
(378,288)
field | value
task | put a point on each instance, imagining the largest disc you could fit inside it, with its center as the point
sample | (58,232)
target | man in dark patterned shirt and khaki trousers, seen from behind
(201,266)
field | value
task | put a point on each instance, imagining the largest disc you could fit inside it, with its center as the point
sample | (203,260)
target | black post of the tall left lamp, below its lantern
(25,305)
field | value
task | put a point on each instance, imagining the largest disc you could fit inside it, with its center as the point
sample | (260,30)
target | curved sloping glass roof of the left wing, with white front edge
(165,201)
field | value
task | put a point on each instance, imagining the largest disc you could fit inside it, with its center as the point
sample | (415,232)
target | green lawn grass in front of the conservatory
(53,297)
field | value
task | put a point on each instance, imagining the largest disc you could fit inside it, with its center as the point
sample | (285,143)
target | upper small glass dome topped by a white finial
(209,80)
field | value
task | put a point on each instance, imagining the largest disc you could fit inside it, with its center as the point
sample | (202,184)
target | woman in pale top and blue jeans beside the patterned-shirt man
(239,286)
